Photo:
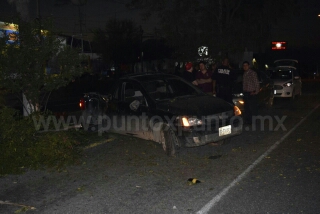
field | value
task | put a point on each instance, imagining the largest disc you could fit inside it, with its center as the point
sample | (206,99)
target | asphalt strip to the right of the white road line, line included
(286,179)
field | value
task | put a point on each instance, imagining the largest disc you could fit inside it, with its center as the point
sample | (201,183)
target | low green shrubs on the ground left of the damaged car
(23,148)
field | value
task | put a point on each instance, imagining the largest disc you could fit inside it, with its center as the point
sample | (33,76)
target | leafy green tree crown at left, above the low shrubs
(23,64)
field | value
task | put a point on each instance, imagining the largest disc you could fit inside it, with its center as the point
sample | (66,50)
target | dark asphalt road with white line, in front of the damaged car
(267,169)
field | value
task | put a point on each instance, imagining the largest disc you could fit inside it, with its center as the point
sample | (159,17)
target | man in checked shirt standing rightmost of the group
(251,88)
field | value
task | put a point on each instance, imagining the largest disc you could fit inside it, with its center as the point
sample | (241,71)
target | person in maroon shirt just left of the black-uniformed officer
(204,78)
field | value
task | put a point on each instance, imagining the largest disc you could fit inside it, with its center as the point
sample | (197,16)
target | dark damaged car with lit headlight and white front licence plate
(169,110)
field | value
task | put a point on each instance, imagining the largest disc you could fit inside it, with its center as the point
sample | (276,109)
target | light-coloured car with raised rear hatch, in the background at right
(287,82)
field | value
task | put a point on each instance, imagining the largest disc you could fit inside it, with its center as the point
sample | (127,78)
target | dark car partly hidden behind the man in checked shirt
(265,95)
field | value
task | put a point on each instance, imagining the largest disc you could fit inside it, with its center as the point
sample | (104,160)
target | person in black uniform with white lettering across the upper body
(223,77)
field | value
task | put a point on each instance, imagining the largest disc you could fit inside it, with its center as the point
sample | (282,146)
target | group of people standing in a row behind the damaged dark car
(219,80)
